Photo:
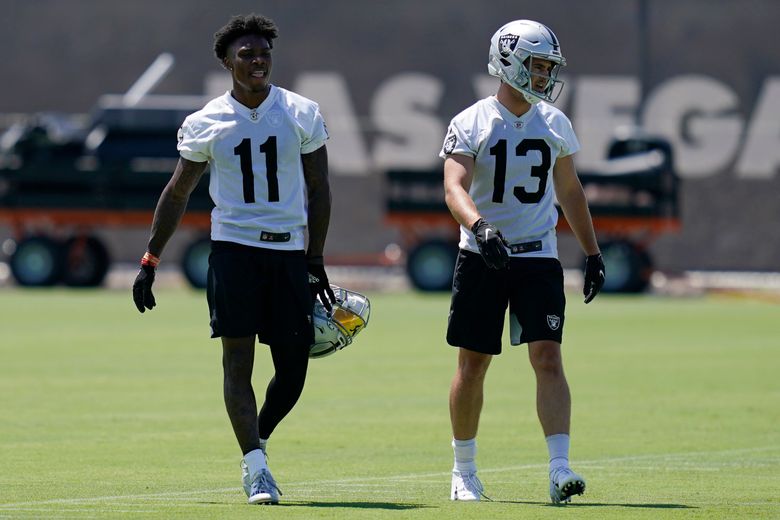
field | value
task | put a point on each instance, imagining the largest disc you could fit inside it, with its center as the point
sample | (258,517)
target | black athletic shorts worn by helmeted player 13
(533,289)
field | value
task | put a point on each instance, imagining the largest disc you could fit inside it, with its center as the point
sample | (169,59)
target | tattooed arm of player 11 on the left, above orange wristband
(173,203)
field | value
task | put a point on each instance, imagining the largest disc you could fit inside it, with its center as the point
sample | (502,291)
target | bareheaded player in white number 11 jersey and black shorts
(265,147)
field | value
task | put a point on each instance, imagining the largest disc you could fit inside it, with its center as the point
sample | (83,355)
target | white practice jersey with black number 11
(254,156)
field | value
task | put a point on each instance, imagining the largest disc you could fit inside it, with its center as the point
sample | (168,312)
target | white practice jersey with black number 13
(513,168)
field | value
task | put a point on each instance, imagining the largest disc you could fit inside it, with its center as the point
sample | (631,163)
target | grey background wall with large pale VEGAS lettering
(390,74)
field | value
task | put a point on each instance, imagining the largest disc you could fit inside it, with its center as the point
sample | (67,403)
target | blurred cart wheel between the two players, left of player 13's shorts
(430,265)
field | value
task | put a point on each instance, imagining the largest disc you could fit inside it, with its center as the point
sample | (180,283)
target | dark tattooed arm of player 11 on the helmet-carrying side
(315,172)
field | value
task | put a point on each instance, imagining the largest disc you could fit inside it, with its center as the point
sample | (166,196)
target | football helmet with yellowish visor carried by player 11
(335,330)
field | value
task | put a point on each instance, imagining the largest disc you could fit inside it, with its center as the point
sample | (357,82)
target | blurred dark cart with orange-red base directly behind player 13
(633,198)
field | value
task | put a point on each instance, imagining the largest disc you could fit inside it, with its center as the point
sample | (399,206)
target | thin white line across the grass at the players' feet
(392,478)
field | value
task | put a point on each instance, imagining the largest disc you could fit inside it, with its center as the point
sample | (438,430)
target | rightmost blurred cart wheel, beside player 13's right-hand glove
(628,267)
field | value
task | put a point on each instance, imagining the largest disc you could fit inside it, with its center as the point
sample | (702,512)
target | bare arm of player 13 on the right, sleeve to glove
(573,203)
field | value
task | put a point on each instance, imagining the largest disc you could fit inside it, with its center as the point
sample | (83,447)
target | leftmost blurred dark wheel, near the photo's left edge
(37,262)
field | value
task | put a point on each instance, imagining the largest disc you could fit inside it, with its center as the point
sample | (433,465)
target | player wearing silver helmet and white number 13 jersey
(507,158)
